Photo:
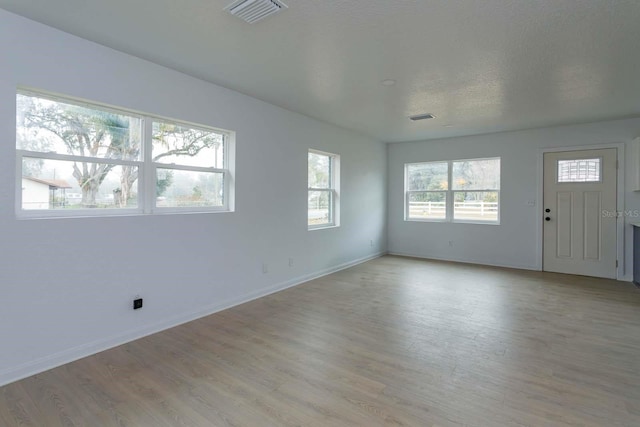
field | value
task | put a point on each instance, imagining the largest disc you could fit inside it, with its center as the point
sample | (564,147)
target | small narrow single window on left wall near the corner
(323,179)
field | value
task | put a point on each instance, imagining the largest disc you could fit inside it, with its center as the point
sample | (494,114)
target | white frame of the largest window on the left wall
(146,182)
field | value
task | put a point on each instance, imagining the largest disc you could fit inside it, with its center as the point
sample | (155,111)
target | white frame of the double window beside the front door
(450,193)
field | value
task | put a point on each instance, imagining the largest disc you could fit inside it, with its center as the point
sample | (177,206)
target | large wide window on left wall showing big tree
(81,159)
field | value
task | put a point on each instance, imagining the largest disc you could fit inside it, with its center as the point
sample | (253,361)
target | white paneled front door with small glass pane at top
(579,213)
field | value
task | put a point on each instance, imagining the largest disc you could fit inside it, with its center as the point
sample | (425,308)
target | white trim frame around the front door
(620,271)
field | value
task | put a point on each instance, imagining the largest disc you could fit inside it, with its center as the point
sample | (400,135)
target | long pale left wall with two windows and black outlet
(66,285)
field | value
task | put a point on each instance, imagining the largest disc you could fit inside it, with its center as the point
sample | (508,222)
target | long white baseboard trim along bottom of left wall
(61,358)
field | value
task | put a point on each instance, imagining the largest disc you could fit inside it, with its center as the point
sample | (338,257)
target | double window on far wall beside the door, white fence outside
(458,191)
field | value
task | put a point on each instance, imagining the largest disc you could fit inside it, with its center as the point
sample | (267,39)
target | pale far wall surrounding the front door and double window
(515,242)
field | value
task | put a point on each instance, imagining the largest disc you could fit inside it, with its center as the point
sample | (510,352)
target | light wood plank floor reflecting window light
(395,341)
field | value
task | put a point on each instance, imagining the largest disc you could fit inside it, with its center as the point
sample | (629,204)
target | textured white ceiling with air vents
(479,65)
